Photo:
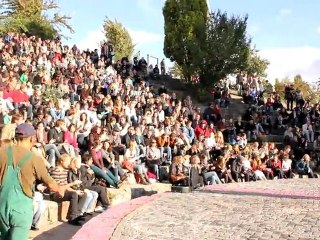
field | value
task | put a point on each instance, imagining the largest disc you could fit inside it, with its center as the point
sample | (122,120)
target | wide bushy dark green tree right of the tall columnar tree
(227,47)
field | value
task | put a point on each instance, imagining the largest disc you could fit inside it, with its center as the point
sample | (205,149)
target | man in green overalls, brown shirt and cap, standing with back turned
(19,168)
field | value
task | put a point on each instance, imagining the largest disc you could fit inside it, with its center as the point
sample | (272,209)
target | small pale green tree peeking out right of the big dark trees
(255,64)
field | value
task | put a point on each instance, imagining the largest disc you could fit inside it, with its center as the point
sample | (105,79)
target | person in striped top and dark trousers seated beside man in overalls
(60,175)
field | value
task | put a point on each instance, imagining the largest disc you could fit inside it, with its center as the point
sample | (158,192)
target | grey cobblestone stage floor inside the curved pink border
(243,213)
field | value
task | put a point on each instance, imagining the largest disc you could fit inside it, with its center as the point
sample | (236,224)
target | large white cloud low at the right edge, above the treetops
(288,62)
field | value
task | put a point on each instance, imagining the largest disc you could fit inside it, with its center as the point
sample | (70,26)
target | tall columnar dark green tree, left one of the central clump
(185,32)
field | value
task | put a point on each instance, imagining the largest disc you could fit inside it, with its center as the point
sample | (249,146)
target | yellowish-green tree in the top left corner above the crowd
(29,16)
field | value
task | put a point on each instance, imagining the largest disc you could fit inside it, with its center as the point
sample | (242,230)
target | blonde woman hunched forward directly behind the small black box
(179,171)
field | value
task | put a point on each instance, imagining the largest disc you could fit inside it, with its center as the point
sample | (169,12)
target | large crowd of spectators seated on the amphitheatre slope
(107,121)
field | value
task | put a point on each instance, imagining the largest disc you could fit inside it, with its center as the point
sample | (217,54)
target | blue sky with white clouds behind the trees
(286,32)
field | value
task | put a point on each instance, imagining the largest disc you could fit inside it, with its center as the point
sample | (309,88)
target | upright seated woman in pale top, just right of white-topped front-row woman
(153,157)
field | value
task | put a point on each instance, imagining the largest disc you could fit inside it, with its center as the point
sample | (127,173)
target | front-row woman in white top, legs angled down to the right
(132,163)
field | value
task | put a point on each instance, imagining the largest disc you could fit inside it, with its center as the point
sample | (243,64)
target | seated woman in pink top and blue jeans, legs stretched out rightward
(98,166)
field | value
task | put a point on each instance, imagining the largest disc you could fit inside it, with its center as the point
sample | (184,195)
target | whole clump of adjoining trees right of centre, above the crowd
(211,45)
